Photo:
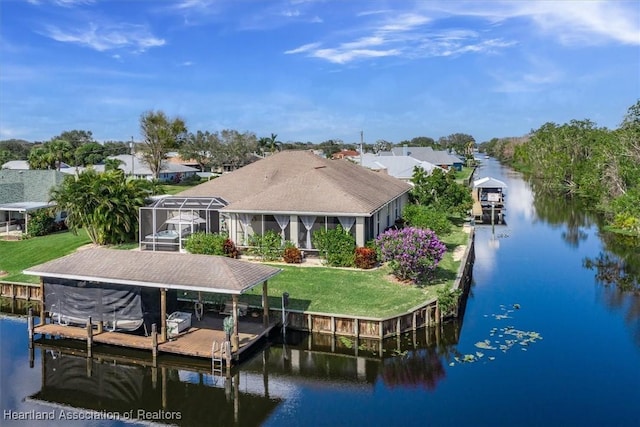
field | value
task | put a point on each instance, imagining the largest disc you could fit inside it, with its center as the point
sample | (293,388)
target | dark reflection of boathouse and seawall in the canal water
(125,385)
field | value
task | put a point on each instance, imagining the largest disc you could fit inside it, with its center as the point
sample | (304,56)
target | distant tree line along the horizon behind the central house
(160,134)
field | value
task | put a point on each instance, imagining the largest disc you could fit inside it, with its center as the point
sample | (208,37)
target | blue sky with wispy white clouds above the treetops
(313,70)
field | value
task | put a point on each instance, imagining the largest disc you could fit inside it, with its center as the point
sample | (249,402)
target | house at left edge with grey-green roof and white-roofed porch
(24,191)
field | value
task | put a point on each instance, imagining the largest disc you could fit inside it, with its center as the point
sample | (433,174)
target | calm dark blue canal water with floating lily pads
(542,342)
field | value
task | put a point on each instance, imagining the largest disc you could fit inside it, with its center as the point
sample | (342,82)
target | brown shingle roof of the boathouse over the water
(206,273)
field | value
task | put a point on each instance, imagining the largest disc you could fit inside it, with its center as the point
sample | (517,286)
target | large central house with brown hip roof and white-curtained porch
(295,193)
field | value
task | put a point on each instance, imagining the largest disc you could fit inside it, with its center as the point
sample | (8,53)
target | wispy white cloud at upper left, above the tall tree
(108,37)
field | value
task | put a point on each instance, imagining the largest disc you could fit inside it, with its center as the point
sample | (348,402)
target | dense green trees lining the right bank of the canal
(579,159)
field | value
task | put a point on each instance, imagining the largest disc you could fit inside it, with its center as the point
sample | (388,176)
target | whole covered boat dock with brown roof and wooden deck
(110,284)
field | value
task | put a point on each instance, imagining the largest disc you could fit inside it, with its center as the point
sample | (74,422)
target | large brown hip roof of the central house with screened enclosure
(299,182)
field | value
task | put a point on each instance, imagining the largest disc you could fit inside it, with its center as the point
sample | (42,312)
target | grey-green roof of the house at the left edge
(19,186)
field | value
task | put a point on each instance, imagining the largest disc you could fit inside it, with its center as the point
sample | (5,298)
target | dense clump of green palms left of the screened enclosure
(105,205)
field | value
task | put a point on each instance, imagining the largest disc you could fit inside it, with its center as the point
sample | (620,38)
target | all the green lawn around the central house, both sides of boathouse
(320,289)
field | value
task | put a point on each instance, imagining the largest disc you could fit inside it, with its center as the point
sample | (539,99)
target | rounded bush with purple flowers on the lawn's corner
(412,253)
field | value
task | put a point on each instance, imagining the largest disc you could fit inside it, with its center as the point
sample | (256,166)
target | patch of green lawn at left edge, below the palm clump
(16,256)
